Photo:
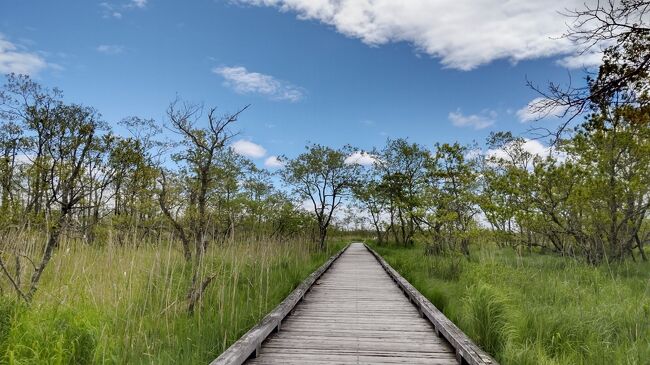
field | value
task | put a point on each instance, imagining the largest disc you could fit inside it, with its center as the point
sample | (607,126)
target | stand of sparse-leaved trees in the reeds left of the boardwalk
(64,172)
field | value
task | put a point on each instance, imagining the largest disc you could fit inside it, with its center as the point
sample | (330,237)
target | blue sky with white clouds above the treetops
(325,71)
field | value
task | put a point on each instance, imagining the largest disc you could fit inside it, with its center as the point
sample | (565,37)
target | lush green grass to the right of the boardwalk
(537,309)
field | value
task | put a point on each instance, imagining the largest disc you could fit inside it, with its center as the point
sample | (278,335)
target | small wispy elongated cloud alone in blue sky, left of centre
(246,82)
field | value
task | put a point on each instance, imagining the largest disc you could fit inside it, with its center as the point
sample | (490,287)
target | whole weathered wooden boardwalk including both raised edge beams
(355,310)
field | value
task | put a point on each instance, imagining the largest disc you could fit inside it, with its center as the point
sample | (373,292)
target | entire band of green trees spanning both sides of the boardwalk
(64,172)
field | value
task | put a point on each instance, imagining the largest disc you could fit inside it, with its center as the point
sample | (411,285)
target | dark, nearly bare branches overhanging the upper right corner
(622,28)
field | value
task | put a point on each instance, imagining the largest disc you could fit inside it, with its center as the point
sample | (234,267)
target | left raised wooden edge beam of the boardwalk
(250,343)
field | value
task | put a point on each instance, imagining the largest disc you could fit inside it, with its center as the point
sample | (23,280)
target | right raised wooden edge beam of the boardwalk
(467,352)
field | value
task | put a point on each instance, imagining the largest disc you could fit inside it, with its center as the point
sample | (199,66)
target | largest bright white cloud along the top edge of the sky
(464,34)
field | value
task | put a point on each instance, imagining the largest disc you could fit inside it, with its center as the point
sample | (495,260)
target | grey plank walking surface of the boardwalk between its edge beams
(355,314)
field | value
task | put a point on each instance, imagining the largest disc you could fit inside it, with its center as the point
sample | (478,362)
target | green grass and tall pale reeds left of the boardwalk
(127,305)
